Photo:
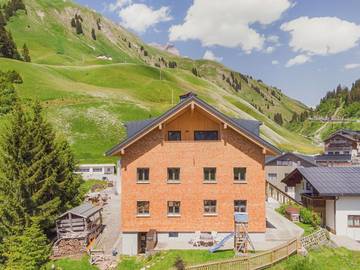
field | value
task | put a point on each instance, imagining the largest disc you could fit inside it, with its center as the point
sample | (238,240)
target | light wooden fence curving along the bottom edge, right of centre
(254,262)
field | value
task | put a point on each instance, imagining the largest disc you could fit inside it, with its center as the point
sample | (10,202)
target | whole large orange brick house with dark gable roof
(187,172)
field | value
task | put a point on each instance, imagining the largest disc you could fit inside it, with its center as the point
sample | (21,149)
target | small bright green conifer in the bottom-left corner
(29,250)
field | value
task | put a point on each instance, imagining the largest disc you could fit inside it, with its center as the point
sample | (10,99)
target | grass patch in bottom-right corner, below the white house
(322,259)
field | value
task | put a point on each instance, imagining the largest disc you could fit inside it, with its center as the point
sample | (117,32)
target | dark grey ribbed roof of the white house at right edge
(331,181)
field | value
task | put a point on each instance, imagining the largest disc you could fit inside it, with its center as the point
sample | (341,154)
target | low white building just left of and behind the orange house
(97,171)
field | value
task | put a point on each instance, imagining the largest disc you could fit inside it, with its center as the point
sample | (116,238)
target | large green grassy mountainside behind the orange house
(89,99)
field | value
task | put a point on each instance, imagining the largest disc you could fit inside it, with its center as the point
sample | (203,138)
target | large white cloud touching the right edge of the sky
(321,35)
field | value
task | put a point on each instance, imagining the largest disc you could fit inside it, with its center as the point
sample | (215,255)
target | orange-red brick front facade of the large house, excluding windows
(153,151)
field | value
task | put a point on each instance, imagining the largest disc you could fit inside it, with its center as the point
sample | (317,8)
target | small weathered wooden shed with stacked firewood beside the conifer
(76,228)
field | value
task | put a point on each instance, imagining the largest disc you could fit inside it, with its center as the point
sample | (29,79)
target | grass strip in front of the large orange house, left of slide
(166,259)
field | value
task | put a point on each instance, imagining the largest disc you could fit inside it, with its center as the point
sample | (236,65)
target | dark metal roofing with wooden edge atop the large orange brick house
(247,129)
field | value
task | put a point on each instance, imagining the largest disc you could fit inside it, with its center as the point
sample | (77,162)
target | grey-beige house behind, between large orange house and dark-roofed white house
(277,168)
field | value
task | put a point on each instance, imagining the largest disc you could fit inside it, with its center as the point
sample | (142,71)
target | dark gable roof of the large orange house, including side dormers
(245,127)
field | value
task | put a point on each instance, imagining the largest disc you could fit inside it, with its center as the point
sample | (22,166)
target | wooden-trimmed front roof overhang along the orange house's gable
(192,102)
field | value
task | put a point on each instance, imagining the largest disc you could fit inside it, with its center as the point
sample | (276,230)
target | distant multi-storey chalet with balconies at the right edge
(341,149)
